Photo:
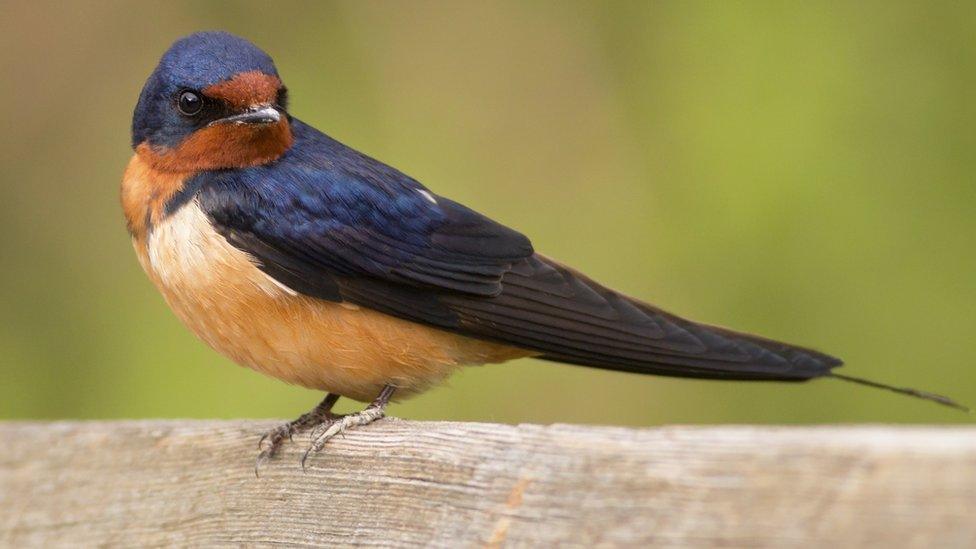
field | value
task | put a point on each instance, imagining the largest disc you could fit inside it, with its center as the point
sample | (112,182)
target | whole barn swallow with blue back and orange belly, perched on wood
(299,257)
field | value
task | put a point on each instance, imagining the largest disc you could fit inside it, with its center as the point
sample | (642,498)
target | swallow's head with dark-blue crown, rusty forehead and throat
(214,101)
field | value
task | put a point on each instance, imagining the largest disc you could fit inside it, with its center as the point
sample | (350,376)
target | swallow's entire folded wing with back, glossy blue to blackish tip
(332,223)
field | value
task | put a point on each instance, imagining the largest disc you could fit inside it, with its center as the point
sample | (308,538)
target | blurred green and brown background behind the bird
(800,170)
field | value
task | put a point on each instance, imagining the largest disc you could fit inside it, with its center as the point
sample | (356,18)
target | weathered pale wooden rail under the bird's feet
(403,483)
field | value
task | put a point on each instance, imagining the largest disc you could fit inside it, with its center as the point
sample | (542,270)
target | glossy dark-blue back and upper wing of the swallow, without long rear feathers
(325,209)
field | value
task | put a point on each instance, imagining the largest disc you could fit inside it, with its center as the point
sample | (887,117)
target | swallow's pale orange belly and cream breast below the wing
(238,310)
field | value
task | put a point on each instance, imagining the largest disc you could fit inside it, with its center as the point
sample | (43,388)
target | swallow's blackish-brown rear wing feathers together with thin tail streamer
(564,316)
